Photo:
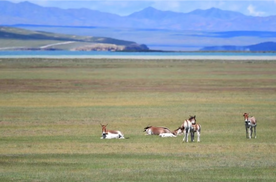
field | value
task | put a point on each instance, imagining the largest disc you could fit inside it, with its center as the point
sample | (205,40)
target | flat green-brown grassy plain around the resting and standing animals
(51,110)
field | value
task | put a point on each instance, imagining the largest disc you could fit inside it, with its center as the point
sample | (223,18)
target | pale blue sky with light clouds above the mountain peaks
(126,7)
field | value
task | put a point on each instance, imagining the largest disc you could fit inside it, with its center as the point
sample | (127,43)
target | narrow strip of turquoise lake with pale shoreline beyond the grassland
(153,55)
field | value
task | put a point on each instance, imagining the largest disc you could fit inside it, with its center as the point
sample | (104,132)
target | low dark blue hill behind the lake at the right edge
(265,46)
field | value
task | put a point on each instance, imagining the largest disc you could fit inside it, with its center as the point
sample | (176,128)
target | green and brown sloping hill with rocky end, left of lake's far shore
(21,39)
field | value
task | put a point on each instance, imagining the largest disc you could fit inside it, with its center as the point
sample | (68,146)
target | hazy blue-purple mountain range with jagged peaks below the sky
(212,19)
